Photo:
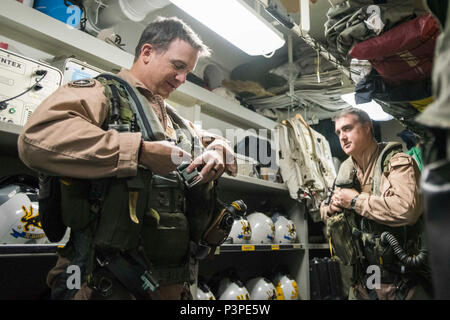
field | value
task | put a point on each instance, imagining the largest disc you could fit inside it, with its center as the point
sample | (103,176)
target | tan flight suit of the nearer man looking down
(64,137)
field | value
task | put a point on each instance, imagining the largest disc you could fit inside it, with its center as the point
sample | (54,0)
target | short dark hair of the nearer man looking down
(163,31)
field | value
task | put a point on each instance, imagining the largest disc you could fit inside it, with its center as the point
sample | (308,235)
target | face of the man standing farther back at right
(353,135)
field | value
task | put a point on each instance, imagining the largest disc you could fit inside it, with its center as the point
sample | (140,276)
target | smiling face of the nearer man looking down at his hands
(167,70)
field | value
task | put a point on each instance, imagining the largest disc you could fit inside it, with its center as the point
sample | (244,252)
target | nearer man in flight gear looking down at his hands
(112,144)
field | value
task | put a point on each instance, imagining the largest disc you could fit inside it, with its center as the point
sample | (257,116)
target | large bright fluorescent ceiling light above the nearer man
(235,21)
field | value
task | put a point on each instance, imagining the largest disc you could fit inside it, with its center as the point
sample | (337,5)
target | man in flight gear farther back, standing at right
(374,216)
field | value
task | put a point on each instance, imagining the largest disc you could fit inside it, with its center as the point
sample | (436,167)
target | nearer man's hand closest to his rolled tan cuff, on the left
(162,157)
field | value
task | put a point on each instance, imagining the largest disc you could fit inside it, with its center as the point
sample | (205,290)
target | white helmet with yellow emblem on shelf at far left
(19,215)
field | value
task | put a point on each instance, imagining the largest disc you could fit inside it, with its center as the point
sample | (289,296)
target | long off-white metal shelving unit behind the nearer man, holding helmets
(56,38)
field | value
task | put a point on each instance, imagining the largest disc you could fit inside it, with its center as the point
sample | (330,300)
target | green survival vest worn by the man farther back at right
(356,240)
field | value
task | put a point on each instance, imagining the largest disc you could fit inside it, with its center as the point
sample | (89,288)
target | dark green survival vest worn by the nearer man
(155,215)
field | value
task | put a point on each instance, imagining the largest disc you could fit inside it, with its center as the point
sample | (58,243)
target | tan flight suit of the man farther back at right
(398,205)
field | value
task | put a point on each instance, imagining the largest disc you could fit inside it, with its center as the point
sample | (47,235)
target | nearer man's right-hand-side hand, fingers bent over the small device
(211,163)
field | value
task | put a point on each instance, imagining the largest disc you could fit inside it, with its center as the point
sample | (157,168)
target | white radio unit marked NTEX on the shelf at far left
(24,84)
